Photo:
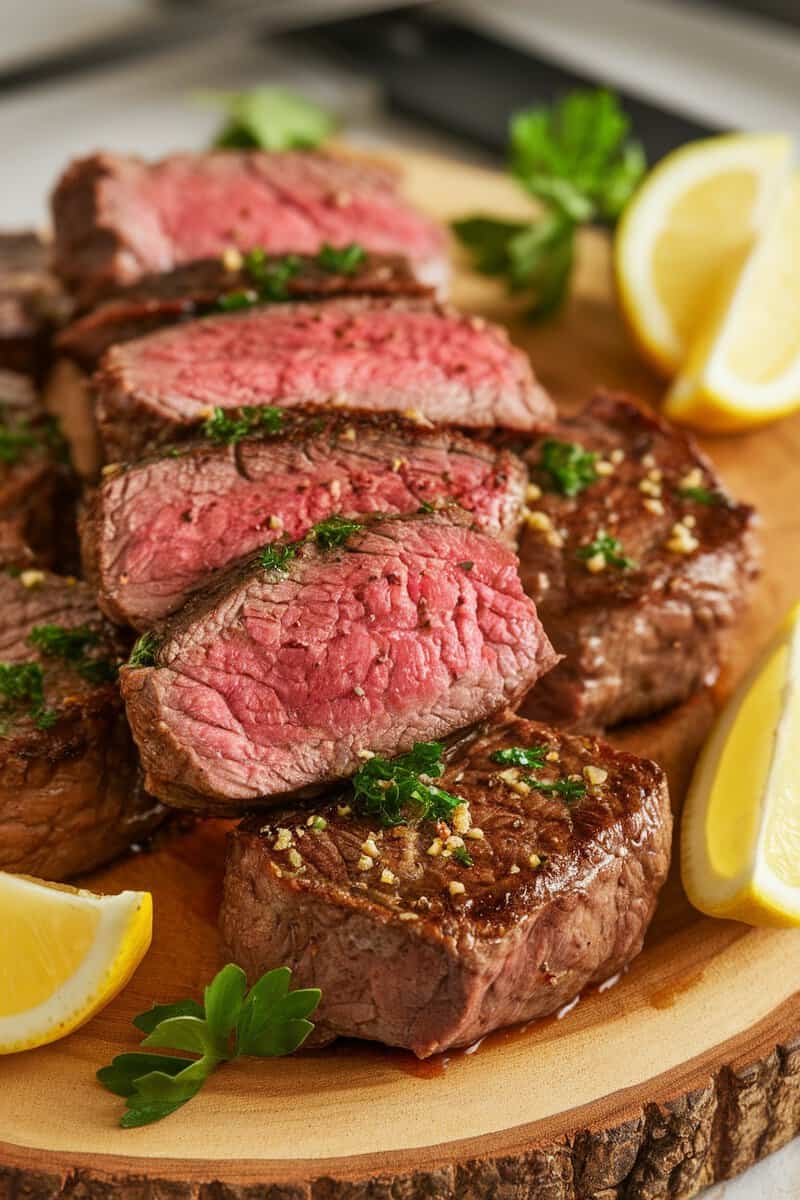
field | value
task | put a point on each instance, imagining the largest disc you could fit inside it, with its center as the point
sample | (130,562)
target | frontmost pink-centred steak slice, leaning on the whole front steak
(278,679)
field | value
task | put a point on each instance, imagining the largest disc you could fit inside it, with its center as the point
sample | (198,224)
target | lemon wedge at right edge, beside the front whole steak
(741,832)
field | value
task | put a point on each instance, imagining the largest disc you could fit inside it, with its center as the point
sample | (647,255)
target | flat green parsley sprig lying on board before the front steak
(268,1022)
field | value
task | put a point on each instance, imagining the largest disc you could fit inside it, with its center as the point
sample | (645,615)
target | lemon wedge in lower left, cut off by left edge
(64,956)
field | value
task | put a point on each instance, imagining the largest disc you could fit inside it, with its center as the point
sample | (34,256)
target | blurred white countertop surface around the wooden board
(147,109)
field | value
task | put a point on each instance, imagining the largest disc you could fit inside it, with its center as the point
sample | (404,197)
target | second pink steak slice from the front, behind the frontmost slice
(157,531)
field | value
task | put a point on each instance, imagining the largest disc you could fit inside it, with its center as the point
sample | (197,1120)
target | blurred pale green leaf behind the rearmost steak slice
(270,119)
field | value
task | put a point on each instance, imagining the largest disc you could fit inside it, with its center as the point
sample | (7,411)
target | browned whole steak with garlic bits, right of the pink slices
(635,639)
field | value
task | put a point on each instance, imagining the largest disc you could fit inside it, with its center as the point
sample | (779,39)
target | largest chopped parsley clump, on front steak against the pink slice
(398,790)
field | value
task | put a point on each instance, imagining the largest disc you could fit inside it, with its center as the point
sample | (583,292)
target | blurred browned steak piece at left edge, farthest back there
(31,303)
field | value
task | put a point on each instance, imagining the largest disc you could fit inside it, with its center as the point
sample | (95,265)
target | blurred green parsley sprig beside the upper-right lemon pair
(578,159)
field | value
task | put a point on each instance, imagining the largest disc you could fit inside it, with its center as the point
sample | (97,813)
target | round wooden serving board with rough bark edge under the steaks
(687,1071)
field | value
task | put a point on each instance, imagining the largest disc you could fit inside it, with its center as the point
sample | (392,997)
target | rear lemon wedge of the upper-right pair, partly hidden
(697,214)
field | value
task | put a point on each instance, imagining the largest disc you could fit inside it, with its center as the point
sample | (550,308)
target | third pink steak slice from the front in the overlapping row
(374,356)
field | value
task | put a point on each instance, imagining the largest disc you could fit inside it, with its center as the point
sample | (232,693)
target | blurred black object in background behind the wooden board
(466,83)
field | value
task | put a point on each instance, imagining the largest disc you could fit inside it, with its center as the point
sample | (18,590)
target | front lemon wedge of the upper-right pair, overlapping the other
(744,368)
